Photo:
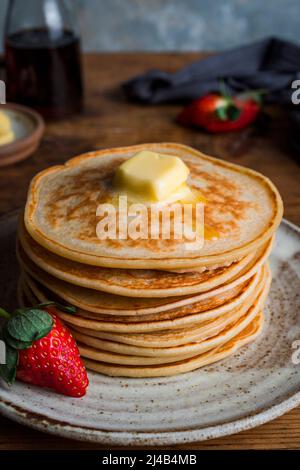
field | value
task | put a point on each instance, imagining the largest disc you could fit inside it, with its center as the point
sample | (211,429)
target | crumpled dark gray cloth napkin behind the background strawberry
(270,64)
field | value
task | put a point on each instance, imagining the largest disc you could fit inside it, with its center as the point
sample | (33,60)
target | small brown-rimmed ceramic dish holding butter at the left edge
(28,127)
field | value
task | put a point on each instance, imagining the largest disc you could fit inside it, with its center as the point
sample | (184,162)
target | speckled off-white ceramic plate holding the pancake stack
(259,383)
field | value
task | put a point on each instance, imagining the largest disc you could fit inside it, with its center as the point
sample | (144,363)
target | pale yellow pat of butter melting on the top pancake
(152,176)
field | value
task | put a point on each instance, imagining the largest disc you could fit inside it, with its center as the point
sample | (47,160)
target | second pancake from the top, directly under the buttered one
(133,283)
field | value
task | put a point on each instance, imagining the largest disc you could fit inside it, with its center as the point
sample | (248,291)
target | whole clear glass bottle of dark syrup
(42,57)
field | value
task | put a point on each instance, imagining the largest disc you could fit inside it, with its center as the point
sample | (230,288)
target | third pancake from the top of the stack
(112,304)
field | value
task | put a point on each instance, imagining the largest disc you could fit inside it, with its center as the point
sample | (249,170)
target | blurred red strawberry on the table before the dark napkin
(219,113)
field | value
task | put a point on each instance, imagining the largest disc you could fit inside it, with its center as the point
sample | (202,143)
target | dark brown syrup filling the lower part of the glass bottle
(44,71)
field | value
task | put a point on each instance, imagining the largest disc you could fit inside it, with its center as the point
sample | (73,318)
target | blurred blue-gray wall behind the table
(118,25)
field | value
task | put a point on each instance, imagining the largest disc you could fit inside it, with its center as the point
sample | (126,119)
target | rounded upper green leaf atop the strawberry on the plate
(29,325)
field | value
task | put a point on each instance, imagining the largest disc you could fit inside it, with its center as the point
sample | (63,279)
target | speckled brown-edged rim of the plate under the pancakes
(42,423)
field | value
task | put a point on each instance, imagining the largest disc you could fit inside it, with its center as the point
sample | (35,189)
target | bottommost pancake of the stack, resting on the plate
(250,333)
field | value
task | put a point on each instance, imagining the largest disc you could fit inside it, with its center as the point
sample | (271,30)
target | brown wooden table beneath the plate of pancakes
(110,121)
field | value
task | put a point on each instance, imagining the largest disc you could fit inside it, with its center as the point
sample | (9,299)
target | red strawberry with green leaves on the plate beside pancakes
(41,351)
